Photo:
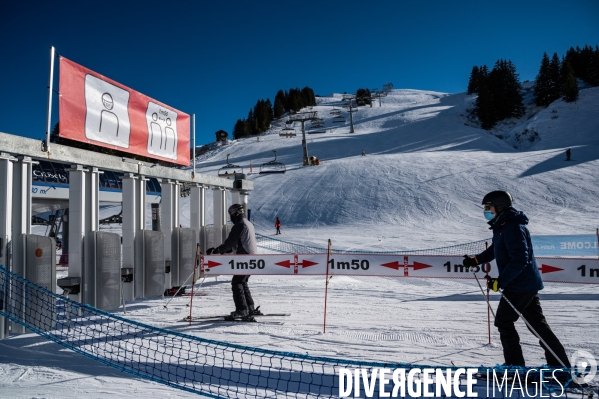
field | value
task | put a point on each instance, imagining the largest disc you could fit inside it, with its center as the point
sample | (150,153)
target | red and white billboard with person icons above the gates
(97,110)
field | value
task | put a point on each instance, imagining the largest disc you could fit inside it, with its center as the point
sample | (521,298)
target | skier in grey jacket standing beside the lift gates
(242,240)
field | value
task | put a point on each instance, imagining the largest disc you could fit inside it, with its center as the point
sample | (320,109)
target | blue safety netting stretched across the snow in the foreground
(212,368)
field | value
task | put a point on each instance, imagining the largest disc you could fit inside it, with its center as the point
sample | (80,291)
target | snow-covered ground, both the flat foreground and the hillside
(419,186)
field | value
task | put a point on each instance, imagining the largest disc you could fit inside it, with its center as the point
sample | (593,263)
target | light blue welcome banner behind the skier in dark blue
(571,246)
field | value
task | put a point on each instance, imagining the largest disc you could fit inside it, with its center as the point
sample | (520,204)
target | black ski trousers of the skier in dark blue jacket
(529,305)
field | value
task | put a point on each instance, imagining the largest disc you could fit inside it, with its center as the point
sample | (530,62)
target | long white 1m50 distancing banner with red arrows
(566,270)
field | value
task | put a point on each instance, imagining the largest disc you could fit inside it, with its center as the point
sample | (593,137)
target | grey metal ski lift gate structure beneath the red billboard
(106,269)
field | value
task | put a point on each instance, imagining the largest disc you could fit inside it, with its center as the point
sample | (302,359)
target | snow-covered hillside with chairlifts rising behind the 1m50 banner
(425,170)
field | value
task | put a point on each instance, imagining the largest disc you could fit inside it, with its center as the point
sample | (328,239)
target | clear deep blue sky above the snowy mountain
(216,59)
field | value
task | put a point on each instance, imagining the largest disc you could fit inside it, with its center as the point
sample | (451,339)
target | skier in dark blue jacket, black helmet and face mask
(519,277)
